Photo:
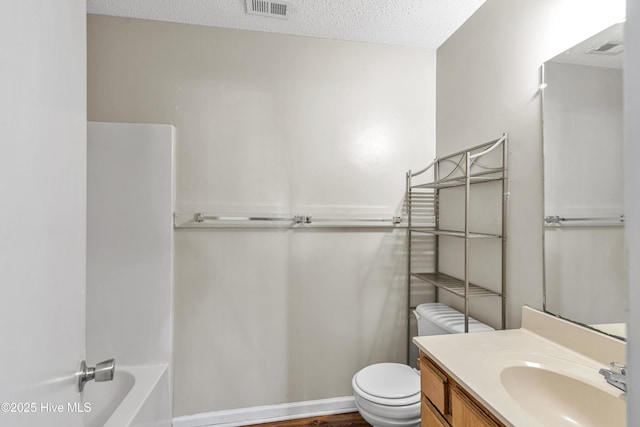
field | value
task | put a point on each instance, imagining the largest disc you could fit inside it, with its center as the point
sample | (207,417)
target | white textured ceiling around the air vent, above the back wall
(417,23)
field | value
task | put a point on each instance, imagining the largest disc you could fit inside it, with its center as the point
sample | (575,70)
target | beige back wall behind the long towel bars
(271,123)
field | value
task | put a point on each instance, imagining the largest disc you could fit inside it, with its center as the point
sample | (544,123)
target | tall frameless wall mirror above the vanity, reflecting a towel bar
(584,256)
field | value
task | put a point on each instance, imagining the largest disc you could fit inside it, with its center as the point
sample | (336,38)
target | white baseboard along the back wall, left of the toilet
(268,413)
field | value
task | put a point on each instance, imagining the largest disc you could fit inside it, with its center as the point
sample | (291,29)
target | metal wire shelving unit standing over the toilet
(484,163)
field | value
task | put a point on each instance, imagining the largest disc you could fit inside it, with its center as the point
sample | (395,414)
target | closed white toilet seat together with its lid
(388,384)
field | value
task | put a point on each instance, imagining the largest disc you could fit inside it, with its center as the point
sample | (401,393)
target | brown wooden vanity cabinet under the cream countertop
(446,404)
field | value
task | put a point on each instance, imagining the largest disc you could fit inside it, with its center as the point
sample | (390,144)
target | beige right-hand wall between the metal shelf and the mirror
(488,77)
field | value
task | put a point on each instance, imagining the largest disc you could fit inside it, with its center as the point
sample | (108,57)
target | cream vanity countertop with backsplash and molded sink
(478,362)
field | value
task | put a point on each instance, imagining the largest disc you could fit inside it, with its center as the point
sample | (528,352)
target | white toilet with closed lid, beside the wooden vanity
(388,394)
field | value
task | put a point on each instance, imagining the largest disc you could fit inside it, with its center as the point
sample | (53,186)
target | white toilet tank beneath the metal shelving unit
(439,319)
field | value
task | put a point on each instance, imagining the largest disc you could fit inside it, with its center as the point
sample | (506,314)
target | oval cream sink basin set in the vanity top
(558,400)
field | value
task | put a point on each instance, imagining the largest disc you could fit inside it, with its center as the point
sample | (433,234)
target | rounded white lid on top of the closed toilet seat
(388,381)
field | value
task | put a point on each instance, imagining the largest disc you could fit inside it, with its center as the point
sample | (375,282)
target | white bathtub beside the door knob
(137,396)
